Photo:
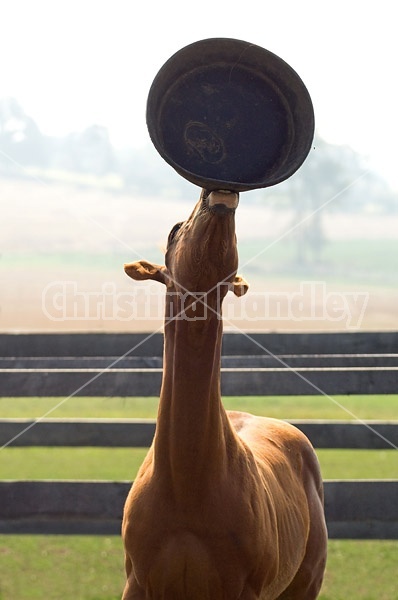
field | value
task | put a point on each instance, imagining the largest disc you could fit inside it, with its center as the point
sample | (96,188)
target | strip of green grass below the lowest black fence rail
(91,568)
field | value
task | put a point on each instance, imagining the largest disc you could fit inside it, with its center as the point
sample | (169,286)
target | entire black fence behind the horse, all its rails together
(131,365)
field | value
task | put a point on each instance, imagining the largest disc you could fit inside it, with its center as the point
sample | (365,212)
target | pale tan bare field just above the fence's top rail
(42,300)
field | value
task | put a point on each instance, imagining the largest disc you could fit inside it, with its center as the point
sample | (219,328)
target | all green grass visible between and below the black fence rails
(91,568)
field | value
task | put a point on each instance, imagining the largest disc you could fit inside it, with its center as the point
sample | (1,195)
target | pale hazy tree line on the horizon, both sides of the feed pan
(328,169)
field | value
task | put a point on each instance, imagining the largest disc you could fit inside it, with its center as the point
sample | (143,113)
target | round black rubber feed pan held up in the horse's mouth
(227,114)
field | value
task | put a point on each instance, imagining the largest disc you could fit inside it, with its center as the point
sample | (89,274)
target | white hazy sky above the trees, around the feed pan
(75,63)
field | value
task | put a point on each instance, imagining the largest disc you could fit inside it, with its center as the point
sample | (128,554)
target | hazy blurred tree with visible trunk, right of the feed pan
(333,178)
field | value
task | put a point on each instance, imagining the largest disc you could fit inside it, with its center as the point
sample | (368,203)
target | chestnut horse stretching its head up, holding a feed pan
(227,505)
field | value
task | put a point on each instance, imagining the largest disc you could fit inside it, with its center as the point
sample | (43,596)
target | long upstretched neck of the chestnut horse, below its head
(192,427)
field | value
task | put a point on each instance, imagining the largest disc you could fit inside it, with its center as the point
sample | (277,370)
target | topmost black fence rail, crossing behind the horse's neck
(234,344)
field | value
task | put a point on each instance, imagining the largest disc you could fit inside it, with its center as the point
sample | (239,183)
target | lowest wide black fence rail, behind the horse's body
(354,509)
